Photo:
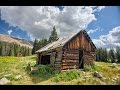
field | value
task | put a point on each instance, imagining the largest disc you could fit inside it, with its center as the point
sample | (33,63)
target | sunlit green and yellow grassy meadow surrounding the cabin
(45,75)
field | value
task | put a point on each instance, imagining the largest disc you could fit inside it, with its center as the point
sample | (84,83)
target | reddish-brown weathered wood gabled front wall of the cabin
(70,57)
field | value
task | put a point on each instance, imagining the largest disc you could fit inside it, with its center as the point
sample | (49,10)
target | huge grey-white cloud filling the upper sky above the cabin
(39,20)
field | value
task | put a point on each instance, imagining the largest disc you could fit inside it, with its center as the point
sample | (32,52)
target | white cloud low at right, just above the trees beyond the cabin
(112,38)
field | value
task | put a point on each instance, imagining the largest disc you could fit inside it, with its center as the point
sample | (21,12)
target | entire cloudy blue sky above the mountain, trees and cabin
(101,30)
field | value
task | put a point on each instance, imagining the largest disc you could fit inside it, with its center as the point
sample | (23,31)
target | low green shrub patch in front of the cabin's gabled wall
(67,76)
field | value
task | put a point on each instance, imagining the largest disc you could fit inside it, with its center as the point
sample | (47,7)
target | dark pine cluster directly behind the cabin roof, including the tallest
(44,41)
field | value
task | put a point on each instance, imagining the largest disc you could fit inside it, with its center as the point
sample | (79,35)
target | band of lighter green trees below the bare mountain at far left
(12,49)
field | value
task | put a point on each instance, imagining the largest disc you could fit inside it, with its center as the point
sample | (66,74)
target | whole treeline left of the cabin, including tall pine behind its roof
(12,49)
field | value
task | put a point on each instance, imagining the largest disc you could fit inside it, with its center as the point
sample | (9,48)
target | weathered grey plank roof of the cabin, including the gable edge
(62,42)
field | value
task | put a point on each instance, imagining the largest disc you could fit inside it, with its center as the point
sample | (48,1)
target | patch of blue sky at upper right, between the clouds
(107,19)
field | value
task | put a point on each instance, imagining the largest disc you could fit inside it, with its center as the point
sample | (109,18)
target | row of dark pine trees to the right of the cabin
(108,56)
